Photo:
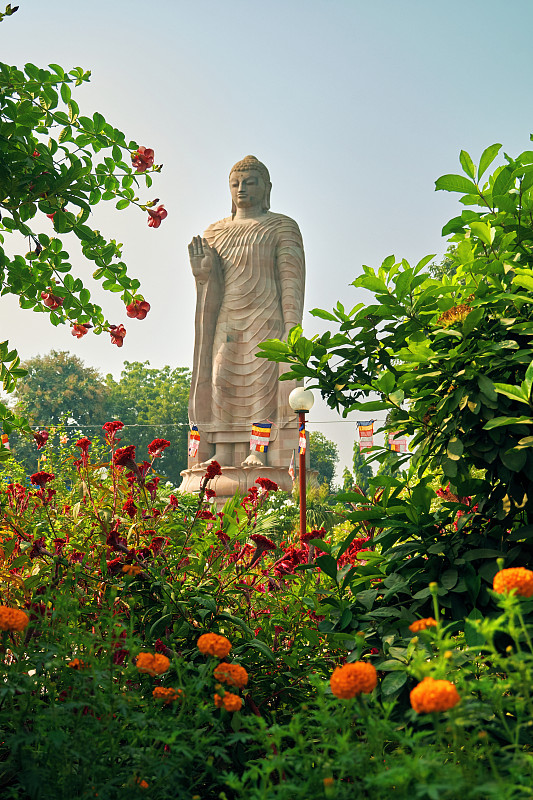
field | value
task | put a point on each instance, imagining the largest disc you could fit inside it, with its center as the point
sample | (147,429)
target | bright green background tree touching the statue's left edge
(155,401)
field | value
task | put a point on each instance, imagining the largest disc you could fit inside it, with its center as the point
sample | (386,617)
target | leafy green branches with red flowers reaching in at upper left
(56,162)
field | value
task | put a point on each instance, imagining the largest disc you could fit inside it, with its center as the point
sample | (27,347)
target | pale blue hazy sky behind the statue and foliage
(355,106)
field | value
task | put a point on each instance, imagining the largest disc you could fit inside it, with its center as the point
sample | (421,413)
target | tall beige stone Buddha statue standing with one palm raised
(250,274)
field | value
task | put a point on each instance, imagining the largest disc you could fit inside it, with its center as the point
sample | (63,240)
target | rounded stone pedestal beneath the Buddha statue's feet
(234,479)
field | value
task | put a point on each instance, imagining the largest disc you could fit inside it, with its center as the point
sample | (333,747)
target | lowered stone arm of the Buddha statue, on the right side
(291,273)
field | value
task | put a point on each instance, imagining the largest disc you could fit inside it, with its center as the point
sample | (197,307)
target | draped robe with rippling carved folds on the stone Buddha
(260,289)
